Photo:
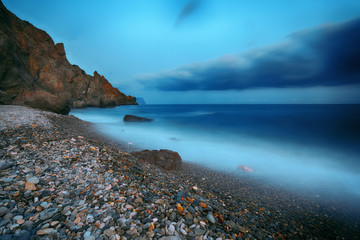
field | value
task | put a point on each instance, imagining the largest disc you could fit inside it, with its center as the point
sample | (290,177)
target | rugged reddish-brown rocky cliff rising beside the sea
(35,72)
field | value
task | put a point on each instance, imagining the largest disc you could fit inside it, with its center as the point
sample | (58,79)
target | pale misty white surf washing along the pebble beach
(296,166)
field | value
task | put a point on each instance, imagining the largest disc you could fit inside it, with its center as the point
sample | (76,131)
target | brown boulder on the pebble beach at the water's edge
(163,158)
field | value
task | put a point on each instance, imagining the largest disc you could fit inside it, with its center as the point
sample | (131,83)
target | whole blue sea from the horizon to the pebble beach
(312,147)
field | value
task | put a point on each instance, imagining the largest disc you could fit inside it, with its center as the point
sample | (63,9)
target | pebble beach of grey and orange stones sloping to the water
(59,179)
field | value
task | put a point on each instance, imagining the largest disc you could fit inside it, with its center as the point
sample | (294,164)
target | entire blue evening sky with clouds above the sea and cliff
(210,51)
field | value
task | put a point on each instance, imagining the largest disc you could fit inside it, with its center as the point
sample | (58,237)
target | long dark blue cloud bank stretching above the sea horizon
(324,56)
